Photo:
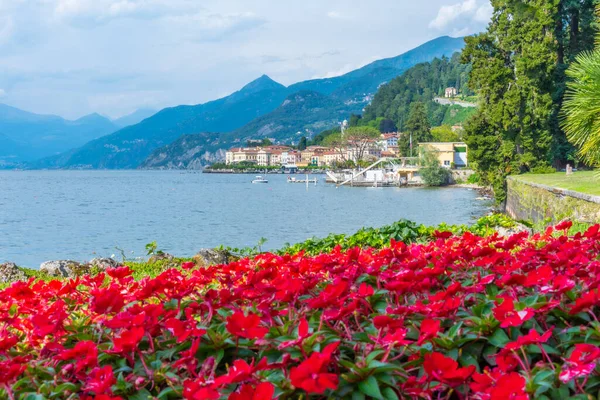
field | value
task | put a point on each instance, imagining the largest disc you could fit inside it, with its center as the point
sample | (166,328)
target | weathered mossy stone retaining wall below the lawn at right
(545,204)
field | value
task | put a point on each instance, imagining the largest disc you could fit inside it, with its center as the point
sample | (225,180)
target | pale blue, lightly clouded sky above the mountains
(75,57)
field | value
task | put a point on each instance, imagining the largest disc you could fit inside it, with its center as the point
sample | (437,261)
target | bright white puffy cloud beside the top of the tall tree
(462,14)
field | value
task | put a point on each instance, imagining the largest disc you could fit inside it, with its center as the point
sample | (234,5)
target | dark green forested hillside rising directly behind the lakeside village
(421,83)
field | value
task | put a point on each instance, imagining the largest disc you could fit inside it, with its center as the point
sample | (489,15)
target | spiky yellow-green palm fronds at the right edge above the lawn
(581,108)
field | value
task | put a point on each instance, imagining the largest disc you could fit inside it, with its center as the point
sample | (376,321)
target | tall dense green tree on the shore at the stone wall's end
(518,71)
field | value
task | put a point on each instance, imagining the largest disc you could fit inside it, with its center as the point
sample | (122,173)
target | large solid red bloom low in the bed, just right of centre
(312,376)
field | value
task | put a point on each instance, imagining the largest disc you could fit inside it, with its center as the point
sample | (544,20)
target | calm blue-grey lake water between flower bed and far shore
(51,215)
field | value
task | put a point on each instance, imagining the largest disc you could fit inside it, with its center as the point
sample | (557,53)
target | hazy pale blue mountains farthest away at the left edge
(26,136)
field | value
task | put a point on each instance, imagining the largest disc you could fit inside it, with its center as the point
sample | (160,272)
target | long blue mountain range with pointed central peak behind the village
(262,108)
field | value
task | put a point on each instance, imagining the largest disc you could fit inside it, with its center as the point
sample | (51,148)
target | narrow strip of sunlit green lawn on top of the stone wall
(581,181)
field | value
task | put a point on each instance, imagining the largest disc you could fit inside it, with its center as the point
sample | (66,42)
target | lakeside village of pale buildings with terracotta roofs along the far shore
(361,162)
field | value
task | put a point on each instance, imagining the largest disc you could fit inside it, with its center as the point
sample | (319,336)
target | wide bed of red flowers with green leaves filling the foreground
(458,317)
